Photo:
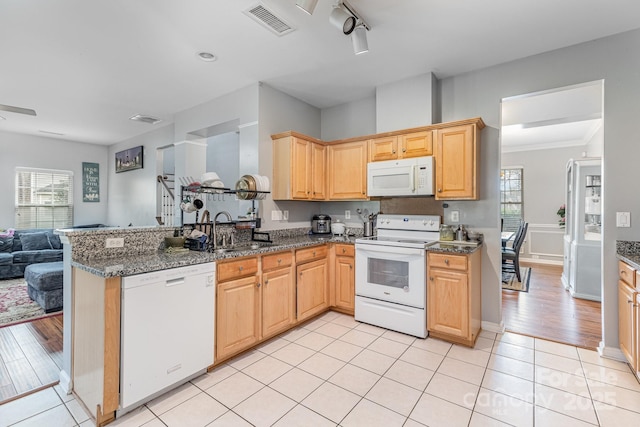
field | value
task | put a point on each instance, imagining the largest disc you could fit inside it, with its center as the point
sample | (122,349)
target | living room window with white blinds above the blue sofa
(44,198)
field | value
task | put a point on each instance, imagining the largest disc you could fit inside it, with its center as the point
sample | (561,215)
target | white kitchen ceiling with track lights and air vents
(87,66)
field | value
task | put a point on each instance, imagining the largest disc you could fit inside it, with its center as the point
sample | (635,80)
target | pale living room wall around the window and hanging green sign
(49,153)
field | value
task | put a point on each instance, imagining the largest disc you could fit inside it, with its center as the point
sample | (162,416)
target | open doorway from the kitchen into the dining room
(540,134)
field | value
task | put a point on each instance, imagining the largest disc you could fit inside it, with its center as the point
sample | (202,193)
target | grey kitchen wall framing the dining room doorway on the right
(479,93)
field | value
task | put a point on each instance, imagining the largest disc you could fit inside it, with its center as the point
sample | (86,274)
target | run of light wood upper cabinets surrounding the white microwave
(305,168)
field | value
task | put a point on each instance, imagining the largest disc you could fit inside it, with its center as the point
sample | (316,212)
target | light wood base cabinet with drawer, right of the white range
(453,296)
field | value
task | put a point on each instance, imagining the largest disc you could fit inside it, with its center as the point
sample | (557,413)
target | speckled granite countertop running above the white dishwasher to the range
(145,263)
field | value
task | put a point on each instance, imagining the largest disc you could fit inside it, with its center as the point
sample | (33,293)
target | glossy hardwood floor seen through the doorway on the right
(548,311)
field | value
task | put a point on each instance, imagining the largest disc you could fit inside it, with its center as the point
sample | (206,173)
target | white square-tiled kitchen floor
(335,371)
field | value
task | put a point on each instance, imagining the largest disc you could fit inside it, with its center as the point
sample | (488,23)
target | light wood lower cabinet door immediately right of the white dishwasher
(237,315)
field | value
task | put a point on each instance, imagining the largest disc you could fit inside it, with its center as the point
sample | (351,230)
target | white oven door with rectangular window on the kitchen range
(393,274)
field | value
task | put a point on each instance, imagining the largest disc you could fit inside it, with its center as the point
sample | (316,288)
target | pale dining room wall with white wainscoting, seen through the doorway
(544,192)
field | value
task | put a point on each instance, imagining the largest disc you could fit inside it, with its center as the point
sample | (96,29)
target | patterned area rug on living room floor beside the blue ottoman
(15,304)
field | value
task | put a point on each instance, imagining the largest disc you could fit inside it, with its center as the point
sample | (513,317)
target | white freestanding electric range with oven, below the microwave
(391,270)
